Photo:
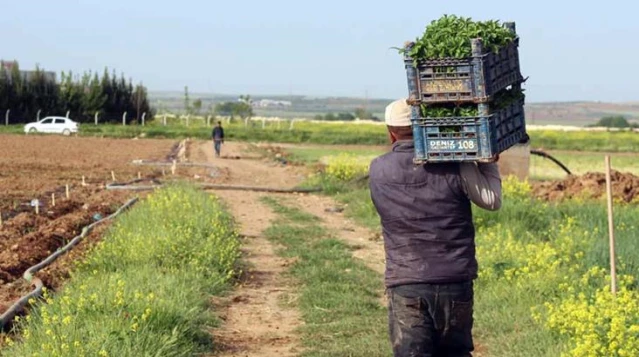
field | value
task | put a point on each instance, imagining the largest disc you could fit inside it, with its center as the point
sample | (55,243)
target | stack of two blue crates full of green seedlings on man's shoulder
(468,104)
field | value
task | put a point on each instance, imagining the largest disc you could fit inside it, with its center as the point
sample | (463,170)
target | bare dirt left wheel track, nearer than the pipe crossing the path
(256,323)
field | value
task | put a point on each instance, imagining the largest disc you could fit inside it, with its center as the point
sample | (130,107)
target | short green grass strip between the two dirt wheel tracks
(339,297)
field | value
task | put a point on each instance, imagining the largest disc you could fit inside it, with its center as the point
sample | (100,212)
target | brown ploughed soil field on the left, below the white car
(35,167)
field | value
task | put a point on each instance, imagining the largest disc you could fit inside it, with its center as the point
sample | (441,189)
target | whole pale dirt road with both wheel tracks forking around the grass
(256,321)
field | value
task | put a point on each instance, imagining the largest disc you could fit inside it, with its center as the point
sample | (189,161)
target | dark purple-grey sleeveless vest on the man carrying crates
(426,219)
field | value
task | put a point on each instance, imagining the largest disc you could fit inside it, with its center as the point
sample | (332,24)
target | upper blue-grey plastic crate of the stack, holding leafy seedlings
(475,79)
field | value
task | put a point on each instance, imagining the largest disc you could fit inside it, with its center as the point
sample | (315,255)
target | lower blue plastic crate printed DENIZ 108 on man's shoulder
(459,139)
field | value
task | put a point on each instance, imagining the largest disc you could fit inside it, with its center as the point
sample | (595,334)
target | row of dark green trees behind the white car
(82,96)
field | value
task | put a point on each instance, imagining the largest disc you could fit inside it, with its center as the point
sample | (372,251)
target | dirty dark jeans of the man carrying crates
(431,320)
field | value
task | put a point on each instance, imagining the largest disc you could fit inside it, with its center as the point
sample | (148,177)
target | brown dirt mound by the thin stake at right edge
(592,185)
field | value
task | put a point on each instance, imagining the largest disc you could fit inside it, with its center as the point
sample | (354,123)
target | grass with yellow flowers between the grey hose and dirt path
(144,290)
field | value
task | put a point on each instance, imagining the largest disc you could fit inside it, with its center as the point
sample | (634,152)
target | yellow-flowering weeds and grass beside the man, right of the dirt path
(544,280)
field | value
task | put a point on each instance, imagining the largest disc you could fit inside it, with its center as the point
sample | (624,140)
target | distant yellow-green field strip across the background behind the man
(344,134)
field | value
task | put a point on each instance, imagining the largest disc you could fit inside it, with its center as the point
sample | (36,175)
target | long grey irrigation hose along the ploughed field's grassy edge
(28,275)
